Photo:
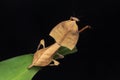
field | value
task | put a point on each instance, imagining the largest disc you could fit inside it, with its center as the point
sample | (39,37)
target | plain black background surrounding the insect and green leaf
(24,22)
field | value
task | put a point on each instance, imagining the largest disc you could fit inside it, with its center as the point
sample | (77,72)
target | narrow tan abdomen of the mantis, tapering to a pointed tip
(43,57)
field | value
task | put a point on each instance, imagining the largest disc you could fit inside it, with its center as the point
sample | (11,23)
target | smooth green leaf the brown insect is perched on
(16,68)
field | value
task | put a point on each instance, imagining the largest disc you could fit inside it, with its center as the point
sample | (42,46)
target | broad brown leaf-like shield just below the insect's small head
(66,33)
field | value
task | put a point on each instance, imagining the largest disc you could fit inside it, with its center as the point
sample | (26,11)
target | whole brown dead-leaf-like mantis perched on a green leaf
(66,34)
